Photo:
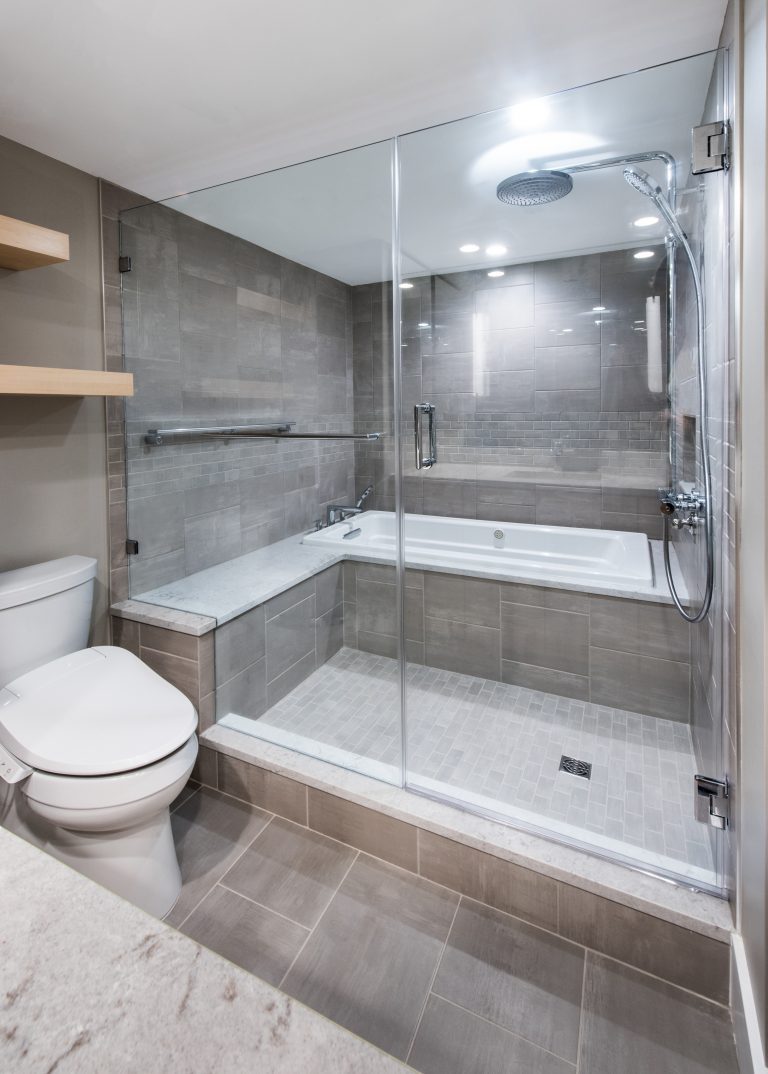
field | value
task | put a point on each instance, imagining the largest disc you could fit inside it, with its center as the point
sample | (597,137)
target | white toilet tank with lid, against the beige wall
(45,614)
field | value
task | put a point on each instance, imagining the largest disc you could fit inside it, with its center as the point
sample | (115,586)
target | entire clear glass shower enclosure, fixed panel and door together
(401,443)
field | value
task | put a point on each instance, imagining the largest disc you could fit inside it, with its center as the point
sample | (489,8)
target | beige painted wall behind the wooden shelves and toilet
(53,452)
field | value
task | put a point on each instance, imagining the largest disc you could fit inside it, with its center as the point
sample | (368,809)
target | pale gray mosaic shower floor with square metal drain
(498,748)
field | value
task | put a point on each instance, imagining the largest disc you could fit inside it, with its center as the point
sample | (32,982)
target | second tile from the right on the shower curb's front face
(488,879)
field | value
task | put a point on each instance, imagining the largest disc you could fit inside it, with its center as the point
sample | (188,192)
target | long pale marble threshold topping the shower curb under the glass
(697,911)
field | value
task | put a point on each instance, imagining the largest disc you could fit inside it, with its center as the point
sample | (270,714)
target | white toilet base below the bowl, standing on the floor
(139,864)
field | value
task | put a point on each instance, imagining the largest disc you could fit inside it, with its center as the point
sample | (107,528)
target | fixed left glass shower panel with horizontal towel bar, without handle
(259,332)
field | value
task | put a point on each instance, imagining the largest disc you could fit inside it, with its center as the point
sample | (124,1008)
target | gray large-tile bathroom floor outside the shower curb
(445,984)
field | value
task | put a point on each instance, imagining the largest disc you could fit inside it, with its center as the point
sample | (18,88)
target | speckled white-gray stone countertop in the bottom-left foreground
(93,984)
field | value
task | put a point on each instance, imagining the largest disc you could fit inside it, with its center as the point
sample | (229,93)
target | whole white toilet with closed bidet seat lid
(94,745)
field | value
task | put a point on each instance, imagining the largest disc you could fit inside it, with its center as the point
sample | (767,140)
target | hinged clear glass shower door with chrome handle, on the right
(547,686)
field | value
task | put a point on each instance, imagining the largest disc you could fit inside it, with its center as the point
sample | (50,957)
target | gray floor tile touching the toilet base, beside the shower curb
(211,831)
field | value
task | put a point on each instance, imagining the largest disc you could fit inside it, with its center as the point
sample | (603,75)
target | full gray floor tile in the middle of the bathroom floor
(370,962)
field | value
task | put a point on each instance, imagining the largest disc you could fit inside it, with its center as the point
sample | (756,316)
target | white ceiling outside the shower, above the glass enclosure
(168,96)
